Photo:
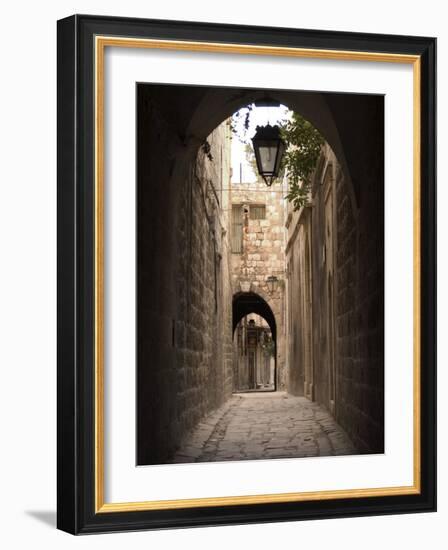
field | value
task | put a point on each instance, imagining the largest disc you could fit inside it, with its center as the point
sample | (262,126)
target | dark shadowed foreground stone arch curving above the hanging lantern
(341,118)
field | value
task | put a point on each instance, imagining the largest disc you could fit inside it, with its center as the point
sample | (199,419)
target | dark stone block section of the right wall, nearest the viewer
(360,312)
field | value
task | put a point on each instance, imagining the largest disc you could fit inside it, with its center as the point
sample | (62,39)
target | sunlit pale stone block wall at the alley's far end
(263,254)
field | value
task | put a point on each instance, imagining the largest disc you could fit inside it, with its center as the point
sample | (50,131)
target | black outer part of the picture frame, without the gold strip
(76,395)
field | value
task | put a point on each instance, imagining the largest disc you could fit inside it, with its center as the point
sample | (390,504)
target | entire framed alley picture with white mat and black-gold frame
(246,274)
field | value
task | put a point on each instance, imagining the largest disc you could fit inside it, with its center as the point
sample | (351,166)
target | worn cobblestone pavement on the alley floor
(265,425)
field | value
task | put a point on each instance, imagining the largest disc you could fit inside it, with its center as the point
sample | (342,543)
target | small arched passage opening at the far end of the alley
(243,305)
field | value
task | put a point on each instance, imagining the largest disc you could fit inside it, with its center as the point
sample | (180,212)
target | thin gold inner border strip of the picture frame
(101,42)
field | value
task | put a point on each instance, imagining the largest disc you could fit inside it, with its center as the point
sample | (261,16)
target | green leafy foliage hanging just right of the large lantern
(303,146)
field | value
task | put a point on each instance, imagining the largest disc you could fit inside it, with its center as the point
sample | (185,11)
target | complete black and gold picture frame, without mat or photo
(82,41)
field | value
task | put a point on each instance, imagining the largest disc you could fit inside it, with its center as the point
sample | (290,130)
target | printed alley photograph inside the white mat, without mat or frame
(260,281)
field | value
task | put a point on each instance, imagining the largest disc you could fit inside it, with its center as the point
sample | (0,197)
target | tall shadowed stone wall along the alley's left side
(184,297)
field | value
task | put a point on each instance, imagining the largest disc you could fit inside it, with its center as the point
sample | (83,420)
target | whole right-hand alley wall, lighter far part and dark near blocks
(335,296)
